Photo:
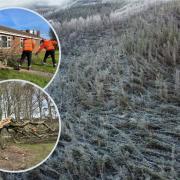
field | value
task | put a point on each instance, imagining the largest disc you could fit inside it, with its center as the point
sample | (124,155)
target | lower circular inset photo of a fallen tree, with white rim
(29,126)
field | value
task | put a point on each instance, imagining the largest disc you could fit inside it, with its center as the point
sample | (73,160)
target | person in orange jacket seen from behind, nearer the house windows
(28,46)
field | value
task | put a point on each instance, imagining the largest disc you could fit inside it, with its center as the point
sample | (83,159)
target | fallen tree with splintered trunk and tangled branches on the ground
(23,129)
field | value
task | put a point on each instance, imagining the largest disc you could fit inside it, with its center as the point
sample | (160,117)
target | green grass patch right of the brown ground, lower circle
(39,152)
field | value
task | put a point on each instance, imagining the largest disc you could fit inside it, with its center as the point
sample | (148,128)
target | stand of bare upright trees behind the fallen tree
(23,101)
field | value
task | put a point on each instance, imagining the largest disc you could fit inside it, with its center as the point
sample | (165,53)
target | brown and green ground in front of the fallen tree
(22,156)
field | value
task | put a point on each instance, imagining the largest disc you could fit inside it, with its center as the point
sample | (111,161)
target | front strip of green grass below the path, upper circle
(14,74)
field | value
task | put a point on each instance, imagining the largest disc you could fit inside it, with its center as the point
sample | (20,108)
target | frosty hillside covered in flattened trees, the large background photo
(117,90)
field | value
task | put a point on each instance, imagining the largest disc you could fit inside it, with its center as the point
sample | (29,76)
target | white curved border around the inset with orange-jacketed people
(59,44)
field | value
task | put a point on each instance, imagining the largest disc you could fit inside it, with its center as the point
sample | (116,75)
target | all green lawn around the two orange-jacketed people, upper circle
(42,79)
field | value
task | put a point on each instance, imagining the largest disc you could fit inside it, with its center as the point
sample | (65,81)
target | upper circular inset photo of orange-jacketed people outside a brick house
(29,47)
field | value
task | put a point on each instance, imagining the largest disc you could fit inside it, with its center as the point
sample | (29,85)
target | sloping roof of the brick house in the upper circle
(21,33)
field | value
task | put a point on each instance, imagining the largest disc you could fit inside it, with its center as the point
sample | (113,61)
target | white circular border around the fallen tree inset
(51,152)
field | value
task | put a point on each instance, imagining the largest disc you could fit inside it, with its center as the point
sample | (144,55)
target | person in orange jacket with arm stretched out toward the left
(49,46)
